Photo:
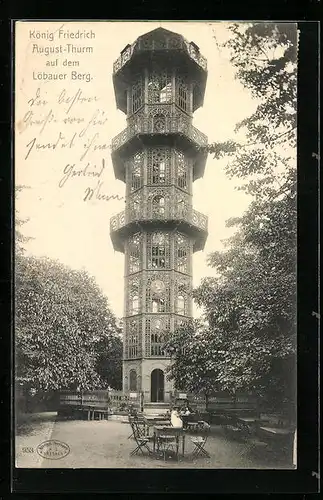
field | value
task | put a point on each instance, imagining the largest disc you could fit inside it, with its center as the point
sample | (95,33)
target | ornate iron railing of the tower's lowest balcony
(170,213)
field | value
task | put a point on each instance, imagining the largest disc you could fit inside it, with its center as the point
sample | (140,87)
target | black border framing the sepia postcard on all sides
(113,481)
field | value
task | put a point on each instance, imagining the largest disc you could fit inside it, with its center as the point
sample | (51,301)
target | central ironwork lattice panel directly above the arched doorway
(157,332)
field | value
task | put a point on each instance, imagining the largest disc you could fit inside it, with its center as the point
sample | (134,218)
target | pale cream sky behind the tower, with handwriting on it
(62,225)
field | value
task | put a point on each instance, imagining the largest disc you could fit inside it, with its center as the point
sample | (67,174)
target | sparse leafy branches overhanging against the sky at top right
(264,56)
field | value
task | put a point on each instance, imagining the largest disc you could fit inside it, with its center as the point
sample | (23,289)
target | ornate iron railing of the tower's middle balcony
(158,125)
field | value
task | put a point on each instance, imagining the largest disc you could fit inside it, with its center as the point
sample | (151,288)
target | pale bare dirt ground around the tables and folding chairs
(105,444)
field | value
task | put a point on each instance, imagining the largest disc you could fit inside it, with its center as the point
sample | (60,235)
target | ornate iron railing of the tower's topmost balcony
(169,43)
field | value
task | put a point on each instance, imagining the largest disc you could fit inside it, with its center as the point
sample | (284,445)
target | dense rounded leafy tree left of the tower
(65,333)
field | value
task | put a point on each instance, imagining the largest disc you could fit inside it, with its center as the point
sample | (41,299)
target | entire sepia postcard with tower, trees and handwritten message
(155,244)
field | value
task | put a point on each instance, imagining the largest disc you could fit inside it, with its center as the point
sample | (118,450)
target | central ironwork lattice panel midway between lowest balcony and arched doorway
(158,293)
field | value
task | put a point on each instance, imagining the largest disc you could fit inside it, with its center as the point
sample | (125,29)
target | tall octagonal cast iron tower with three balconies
(159,82)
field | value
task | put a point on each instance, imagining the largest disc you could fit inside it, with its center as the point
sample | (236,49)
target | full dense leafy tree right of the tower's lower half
(251,304)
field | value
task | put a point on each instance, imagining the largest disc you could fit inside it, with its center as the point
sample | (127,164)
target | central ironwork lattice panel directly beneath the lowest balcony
(158,250)
